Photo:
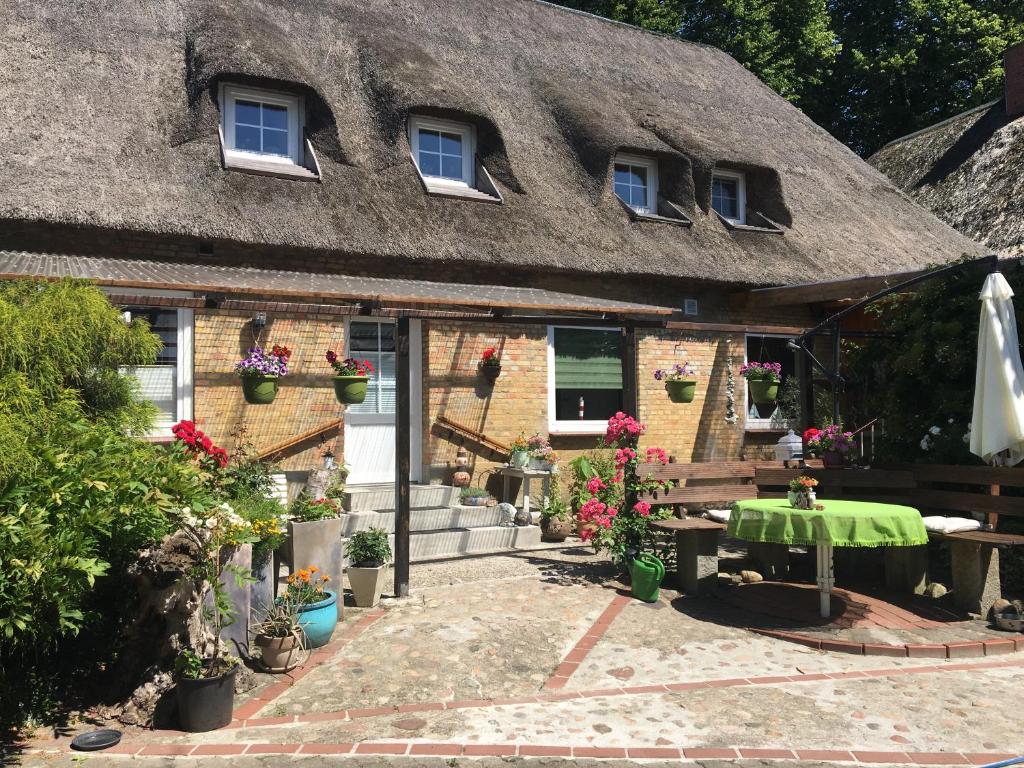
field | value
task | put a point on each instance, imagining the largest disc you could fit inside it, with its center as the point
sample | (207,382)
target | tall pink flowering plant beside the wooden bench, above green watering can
(610,515)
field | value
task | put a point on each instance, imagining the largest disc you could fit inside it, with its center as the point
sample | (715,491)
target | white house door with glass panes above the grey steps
(370,426)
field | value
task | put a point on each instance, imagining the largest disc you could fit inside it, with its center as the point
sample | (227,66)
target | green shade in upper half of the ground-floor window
(588,360)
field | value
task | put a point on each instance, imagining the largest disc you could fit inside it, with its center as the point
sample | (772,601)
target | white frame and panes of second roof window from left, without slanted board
(445,152)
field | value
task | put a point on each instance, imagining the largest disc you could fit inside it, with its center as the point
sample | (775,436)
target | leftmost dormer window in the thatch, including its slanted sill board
(263,133)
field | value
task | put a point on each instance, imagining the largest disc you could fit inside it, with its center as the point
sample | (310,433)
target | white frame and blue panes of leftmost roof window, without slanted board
(262,125)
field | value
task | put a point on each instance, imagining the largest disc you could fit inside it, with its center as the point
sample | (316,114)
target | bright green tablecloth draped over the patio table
(843,524)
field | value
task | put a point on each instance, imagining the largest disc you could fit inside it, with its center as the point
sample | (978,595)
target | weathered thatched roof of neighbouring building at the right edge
(969,172)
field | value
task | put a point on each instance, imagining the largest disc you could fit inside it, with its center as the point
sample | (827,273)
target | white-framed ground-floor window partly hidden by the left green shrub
(167,383)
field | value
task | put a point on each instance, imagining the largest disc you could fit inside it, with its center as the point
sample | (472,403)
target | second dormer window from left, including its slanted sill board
(445,155)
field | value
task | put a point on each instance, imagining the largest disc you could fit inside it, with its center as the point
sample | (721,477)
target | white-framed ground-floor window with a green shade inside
(585,378)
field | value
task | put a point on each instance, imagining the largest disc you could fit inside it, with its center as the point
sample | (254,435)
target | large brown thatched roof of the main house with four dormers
(110,119)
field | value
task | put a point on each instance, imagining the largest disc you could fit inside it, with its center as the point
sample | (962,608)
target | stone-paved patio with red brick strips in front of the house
(541,656)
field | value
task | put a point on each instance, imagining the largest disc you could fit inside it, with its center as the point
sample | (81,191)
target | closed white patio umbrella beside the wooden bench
(998,426)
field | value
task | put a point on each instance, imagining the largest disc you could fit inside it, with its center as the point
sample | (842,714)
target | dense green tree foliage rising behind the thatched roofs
(869,71)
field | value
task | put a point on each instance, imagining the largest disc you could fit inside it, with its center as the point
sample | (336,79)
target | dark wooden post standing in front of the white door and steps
(403,433)
